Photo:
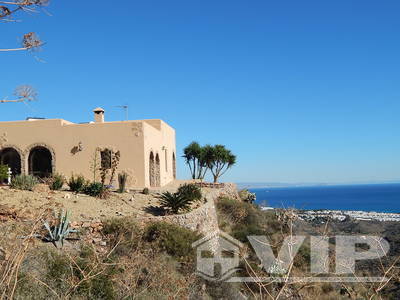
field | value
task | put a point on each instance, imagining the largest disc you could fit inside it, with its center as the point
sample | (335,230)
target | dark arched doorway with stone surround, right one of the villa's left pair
(40,162)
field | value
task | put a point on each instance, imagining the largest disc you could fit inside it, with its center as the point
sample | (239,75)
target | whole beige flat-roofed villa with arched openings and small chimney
(42,147)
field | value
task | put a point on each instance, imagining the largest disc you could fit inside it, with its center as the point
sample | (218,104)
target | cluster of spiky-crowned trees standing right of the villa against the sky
(216,158)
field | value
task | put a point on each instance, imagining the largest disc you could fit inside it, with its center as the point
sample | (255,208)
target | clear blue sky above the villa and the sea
(301,91)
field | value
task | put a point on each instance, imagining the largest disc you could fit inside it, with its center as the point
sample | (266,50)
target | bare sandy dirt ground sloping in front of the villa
(83,207)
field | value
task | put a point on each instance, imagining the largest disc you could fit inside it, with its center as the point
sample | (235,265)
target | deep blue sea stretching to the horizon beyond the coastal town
(366,197)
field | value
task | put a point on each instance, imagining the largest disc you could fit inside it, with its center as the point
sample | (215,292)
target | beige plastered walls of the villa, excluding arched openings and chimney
(63,139)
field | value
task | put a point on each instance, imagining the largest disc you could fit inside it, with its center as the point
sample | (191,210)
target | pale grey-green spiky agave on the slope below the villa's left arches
(59,232)
